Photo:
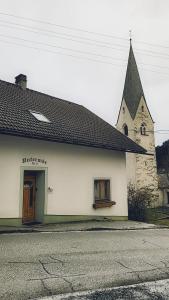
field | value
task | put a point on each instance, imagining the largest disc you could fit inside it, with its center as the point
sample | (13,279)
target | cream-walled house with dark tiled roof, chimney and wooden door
(58,160)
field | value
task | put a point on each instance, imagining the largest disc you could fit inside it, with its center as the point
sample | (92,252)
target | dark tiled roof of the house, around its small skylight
(70,123)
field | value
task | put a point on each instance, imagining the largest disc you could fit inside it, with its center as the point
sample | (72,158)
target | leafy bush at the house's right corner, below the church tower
(139,200)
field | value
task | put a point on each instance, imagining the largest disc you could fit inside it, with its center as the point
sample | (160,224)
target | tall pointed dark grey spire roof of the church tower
(133,90)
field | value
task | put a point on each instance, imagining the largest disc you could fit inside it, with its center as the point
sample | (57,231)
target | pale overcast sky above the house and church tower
(78,49)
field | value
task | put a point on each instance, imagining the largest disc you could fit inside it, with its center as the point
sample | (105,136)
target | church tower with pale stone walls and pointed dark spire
(135,121)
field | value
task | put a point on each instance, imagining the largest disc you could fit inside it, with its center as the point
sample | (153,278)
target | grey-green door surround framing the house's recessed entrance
(32,168)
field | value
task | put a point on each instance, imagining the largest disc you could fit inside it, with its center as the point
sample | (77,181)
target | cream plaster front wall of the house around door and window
(71,173)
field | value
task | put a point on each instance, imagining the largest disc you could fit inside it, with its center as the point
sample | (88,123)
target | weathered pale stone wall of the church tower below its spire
(141,169)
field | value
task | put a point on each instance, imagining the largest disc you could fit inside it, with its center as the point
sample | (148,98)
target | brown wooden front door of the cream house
(29,199)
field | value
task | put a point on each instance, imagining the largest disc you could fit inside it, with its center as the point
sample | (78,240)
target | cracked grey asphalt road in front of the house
(41,264)
